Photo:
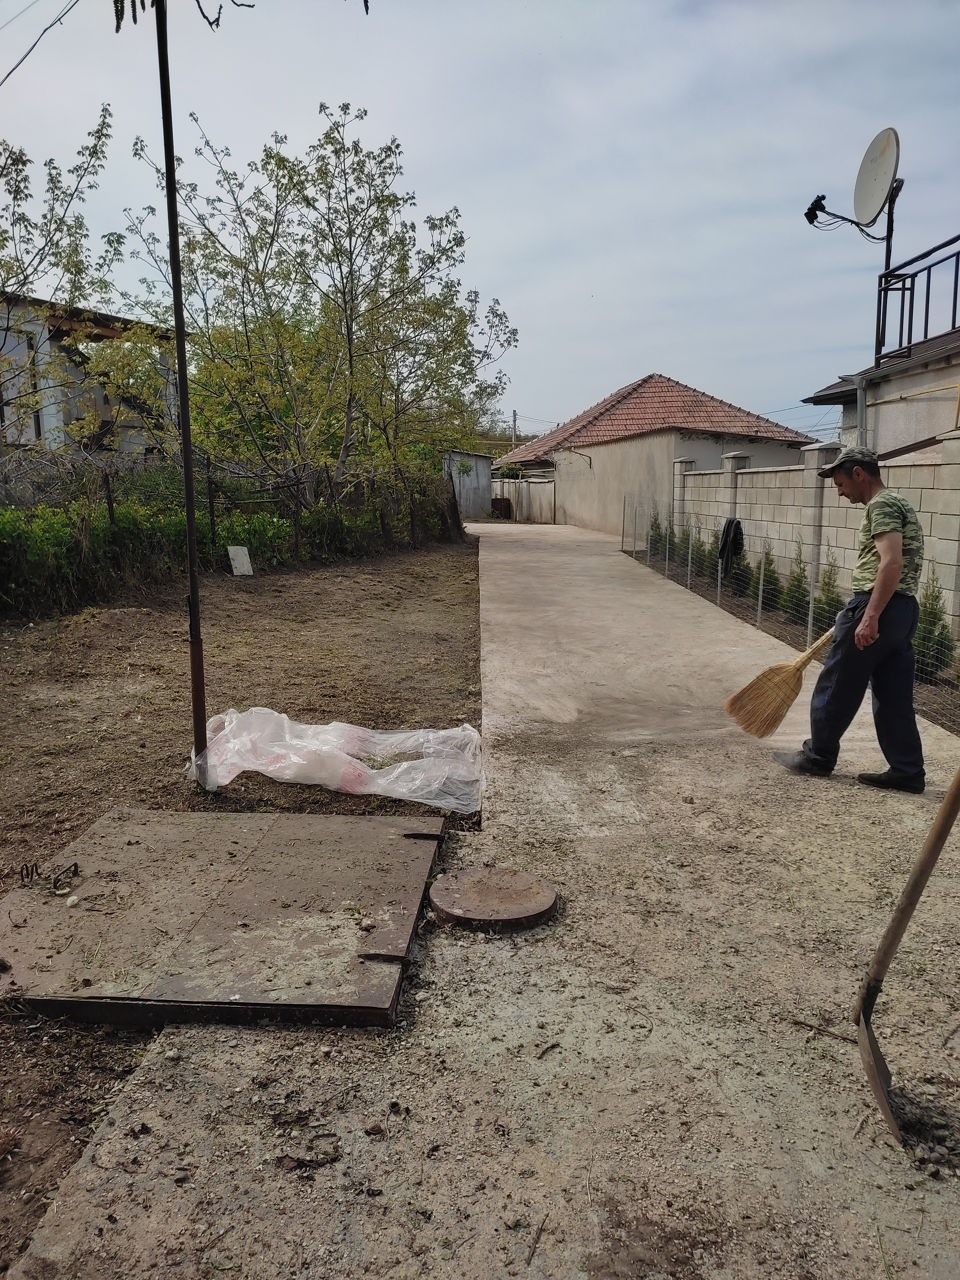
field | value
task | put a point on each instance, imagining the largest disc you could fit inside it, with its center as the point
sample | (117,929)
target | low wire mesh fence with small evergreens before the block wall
(796,604)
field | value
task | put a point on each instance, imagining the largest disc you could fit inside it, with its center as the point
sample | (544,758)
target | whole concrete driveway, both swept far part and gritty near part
(637,1090)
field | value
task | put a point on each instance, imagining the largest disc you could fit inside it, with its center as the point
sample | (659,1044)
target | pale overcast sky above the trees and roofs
(632,175)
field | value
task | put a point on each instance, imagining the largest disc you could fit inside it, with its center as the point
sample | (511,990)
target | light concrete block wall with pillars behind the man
(780,505)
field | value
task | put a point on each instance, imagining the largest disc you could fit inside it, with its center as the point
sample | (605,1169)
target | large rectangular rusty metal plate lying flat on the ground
(177,916)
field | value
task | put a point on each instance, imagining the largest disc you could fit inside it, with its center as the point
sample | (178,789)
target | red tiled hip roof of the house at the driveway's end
(656,404)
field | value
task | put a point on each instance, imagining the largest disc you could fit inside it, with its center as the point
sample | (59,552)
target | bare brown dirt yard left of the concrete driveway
(97,714)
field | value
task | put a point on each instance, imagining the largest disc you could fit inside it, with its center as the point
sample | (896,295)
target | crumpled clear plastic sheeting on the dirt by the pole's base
(431,766)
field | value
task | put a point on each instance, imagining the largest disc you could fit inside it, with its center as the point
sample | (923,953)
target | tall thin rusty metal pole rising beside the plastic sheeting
(196,644)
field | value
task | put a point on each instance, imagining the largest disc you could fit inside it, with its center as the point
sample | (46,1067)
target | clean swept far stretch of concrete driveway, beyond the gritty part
(583,643)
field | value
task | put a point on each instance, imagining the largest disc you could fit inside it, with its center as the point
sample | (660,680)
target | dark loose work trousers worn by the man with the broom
(888,668)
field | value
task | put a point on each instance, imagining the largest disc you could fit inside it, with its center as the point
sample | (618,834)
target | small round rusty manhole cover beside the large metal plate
(497,898)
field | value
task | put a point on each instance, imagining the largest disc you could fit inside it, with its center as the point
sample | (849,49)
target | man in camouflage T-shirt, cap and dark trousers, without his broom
(874,634)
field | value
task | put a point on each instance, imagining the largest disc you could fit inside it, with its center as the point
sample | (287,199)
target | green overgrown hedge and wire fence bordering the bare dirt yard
(77,531)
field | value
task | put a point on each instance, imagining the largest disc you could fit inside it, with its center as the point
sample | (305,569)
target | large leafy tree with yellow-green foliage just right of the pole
(327,330)
